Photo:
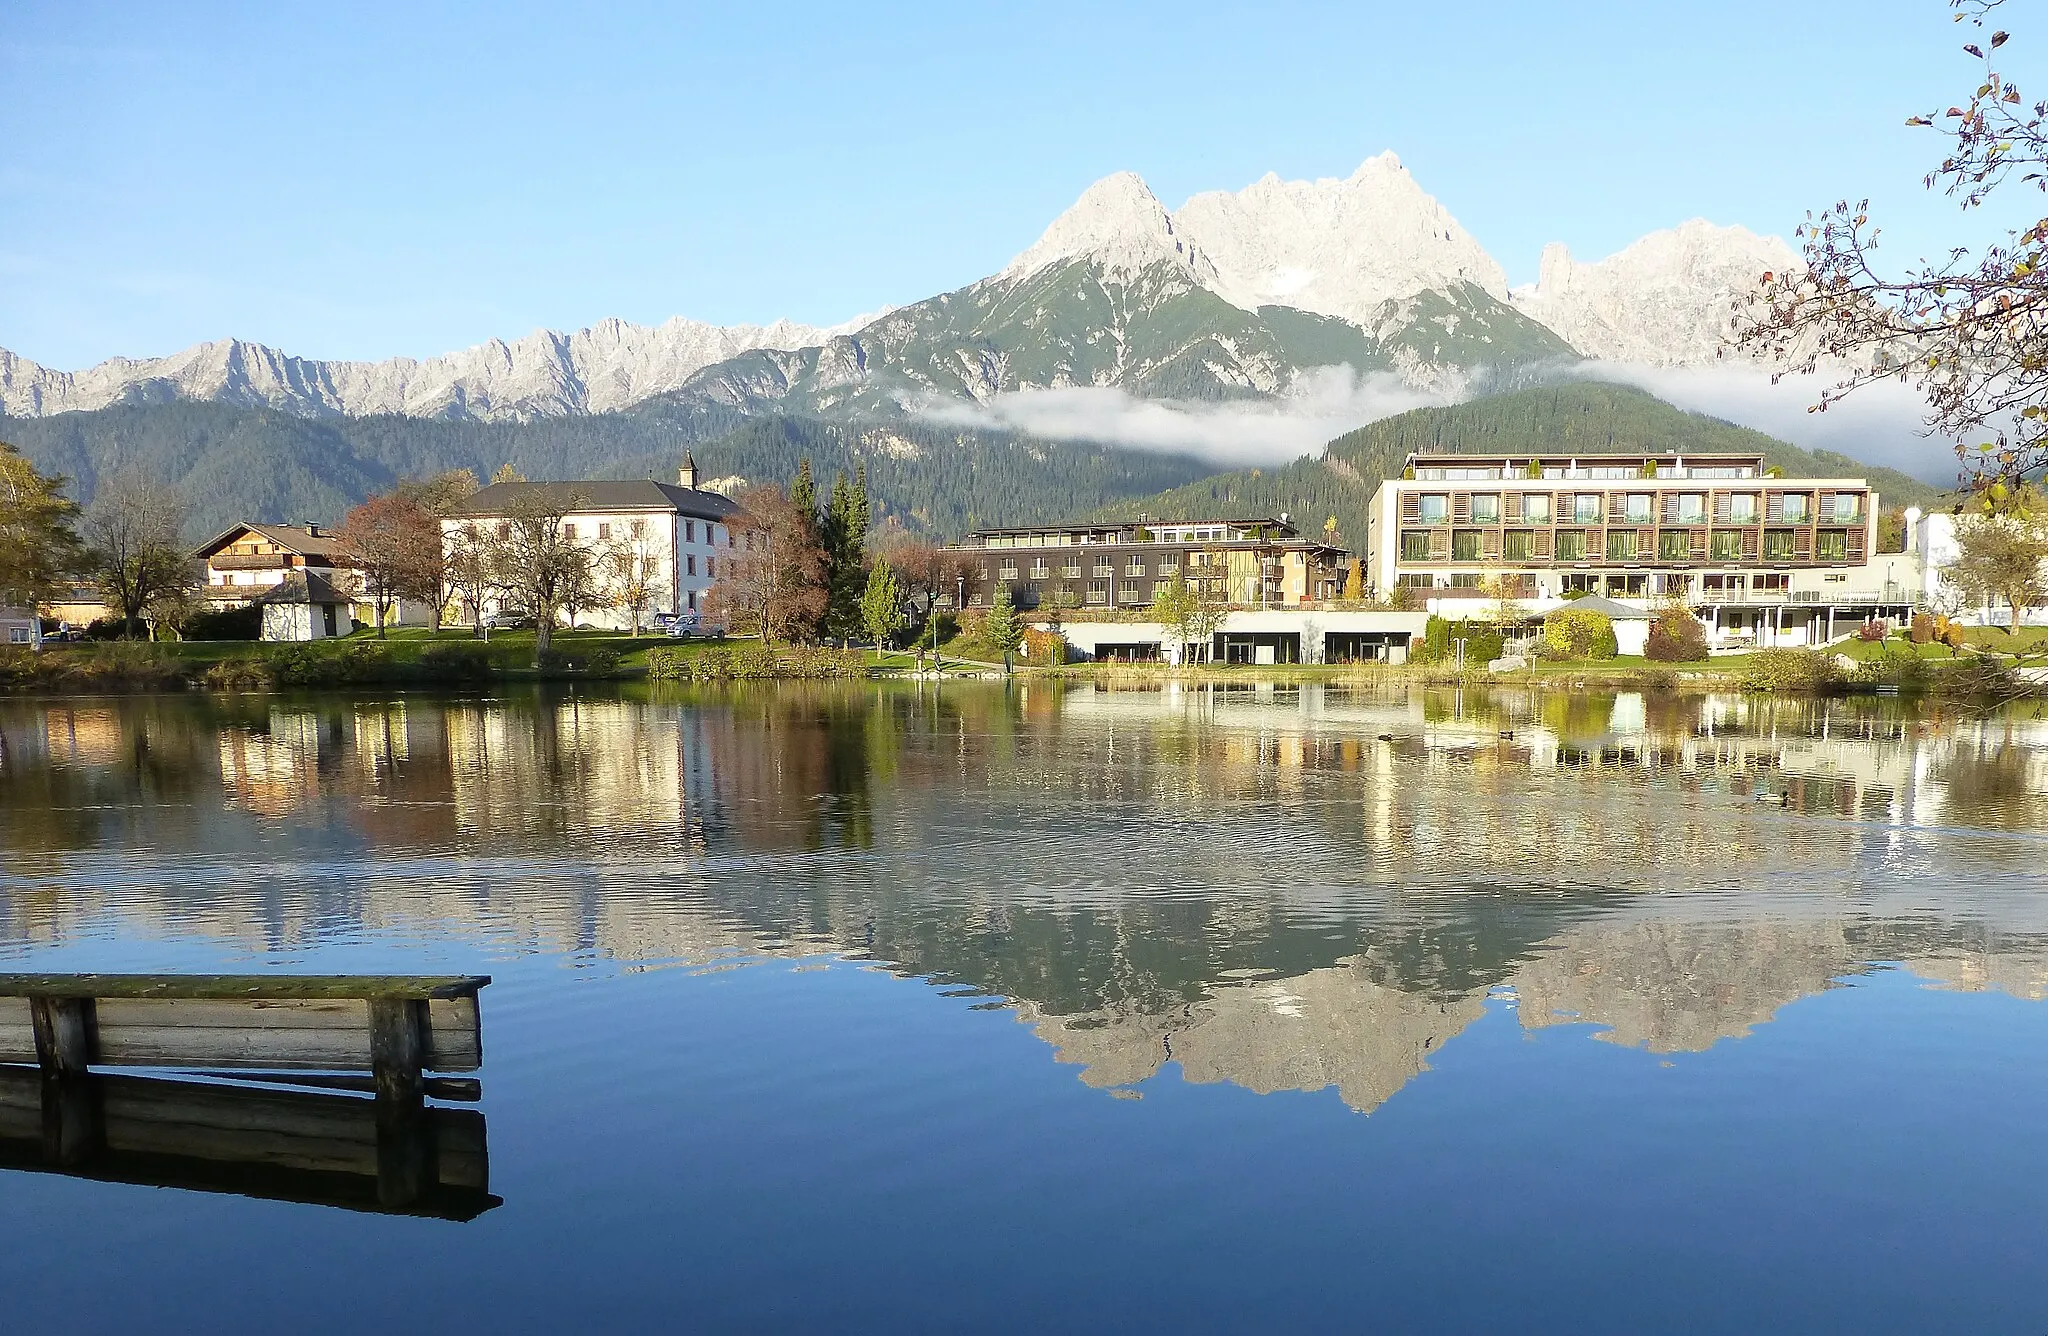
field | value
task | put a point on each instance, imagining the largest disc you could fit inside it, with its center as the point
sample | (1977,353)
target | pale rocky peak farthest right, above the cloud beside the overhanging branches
(1664,302)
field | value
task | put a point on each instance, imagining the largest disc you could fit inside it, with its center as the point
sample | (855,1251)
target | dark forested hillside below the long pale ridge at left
(255,464)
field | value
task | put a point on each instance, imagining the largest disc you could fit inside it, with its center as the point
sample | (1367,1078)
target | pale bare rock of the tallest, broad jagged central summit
(1336,247)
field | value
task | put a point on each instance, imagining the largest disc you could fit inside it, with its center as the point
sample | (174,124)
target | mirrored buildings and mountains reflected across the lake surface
(1279,888)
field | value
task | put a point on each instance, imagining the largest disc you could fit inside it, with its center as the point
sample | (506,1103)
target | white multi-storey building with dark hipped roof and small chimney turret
(677,534)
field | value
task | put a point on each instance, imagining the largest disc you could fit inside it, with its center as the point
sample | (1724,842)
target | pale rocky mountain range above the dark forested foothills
(1234,294)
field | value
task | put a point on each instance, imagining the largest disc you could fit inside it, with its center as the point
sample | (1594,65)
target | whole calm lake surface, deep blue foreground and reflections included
(873,1009)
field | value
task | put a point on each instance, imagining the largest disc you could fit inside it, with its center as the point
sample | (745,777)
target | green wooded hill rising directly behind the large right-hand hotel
(1584,417)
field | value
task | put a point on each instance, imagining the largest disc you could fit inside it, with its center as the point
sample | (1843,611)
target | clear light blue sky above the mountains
(407,179)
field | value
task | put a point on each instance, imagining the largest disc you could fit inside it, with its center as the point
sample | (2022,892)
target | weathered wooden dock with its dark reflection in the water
(241,1130)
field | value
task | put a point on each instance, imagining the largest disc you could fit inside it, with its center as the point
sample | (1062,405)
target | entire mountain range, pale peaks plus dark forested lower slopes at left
(1232,302)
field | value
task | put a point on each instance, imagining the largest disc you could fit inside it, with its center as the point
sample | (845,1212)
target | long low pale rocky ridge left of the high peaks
(609,366)
